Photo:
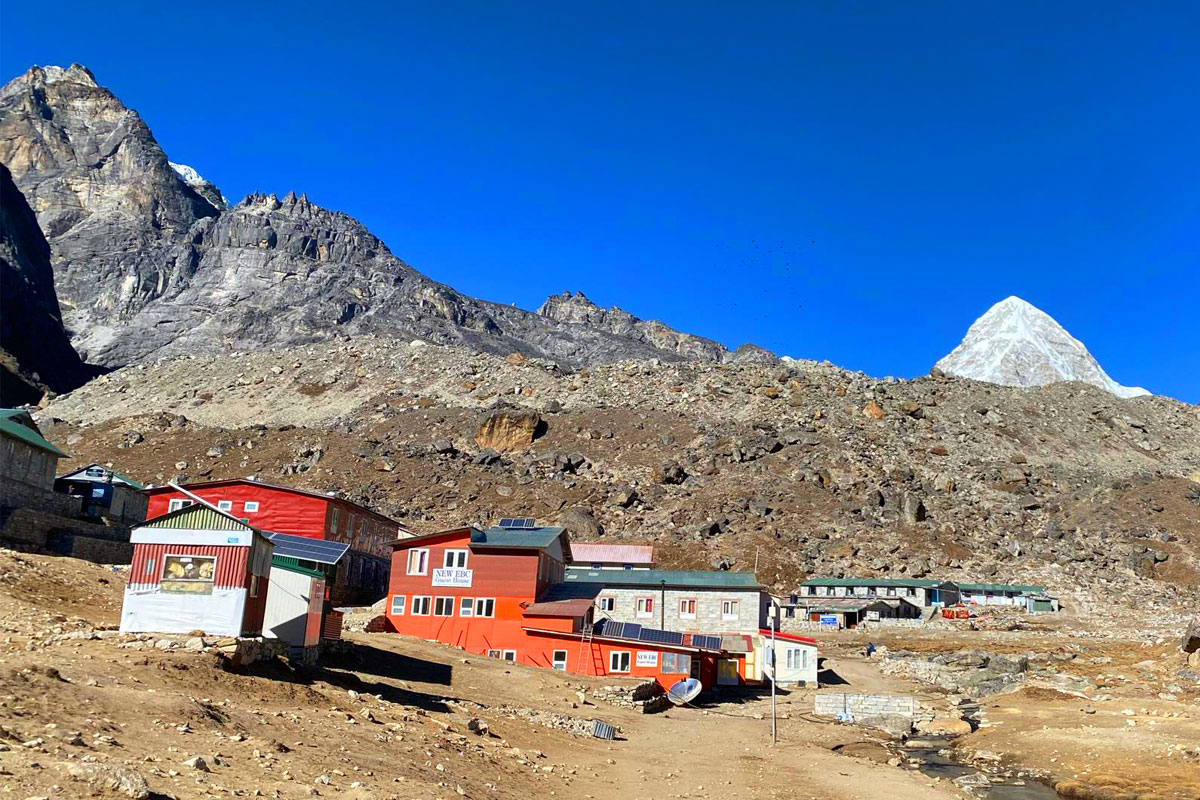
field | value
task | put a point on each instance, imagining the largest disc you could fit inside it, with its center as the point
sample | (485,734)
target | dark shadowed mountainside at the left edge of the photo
(35,352)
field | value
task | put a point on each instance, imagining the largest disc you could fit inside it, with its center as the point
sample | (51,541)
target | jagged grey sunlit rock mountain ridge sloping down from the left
(149,261)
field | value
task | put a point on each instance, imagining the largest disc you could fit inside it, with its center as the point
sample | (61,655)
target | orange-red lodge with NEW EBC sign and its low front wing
(479,591)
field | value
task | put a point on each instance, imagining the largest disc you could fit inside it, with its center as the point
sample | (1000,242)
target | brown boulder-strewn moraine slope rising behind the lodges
(795,470)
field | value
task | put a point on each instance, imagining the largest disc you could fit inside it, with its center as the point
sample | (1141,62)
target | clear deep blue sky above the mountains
(854,182)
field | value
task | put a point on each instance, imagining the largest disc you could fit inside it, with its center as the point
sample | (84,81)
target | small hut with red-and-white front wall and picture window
(197,570)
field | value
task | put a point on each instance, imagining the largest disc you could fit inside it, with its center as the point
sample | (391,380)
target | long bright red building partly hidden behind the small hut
(363,575)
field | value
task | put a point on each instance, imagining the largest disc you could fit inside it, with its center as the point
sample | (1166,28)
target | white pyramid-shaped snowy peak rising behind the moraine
(1018,345)
